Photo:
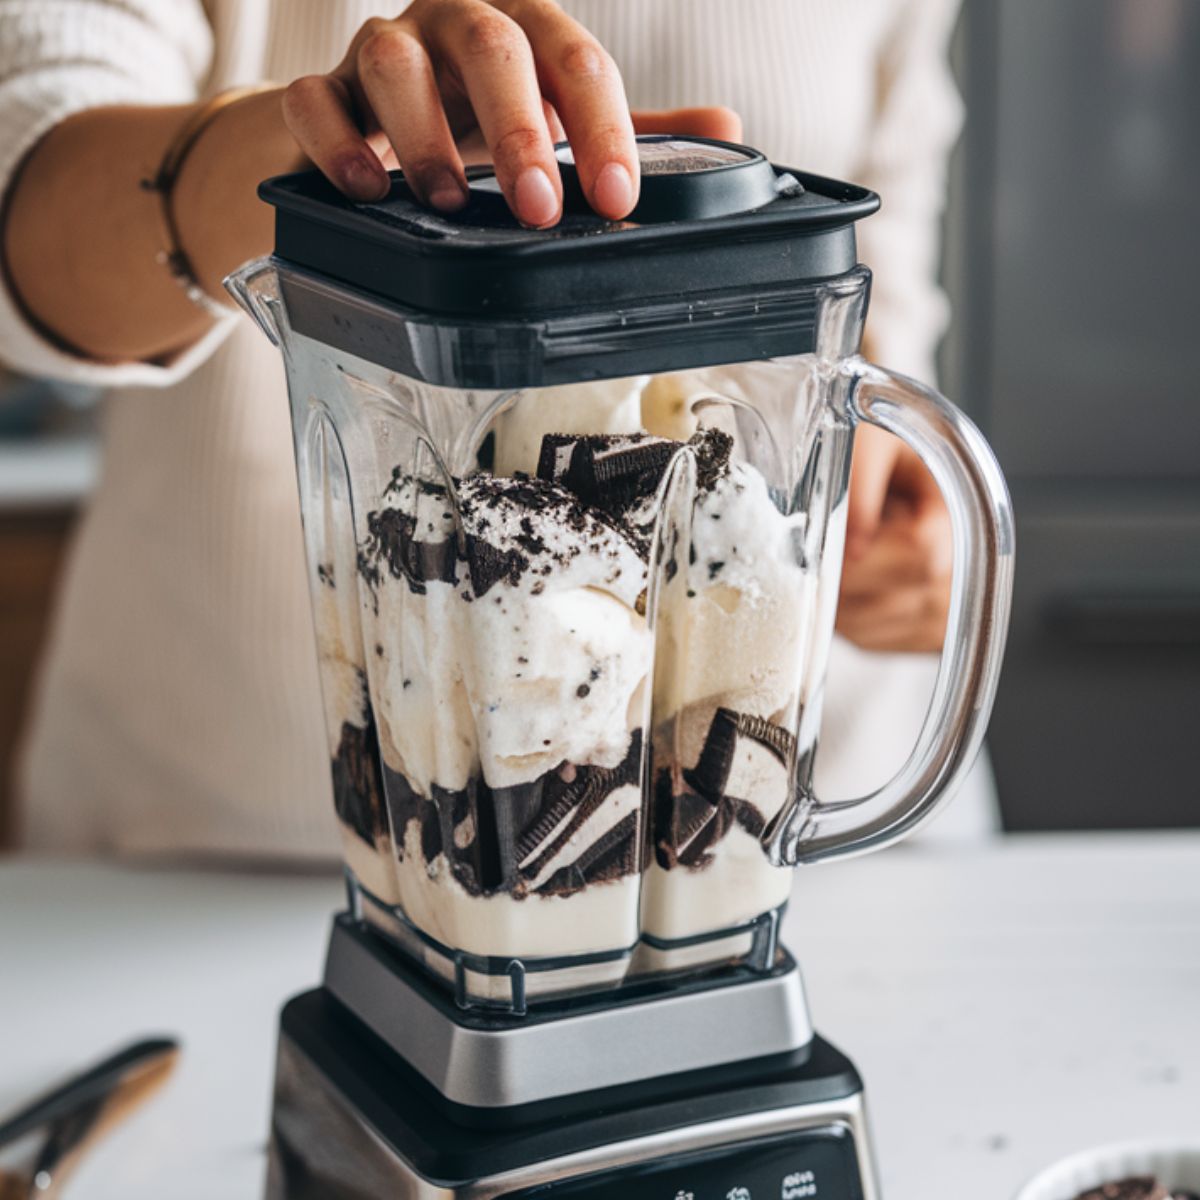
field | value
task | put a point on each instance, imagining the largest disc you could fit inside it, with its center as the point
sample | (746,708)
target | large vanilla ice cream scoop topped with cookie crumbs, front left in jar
(508,632)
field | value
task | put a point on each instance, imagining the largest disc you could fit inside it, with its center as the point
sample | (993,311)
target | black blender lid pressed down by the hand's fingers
(713,218)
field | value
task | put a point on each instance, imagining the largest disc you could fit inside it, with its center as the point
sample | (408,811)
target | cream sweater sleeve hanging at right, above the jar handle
(917,121)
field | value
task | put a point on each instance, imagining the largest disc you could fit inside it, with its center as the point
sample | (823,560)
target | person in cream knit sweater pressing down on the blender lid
(179,704)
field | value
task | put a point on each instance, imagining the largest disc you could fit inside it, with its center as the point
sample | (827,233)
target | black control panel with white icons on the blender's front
(820,1165)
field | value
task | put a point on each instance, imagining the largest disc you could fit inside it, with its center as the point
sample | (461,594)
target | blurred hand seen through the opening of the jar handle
(896,581)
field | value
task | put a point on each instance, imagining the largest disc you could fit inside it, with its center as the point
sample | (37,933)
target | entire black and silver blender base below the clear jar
(356,1119)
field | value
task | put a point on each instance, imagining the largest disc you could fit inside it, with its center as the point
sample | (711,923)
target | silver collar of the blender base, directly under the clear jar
(562,1049)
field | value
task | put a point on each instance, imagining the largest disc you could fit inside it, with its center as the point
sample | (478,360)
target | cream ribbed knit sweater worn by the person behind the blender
(179,704)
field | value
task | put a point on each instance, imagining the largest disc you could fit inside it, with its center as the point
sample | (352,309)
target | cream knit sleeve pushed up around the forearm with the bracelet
(63,57)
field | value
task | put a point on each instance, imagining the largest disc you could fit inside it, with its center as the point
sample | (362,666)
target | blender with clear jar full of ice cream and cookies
(574,507)
